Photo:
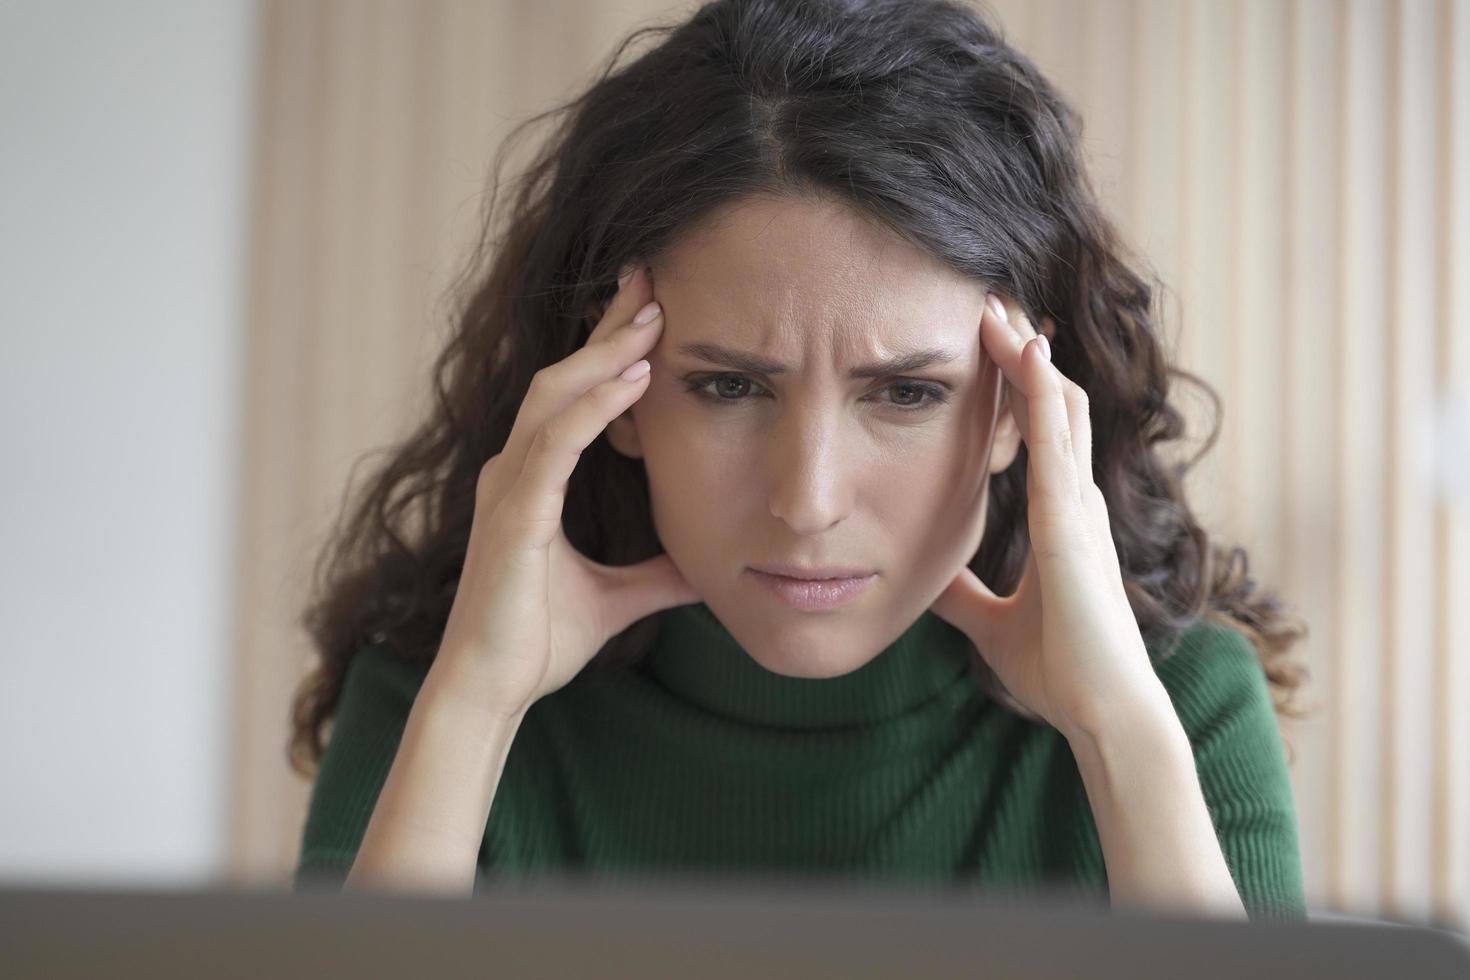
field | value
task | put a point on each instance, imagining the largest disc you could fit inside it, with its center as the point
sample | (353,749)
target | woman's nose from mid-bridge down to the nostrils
(811,487)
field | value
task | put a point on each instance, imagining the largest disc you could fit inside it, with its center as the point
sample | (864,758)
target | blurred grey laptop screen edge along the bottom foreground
(709,928)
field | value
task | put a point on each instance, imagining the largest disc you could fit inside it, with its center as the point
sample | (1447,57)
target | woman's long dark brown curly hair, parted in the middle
(915,112)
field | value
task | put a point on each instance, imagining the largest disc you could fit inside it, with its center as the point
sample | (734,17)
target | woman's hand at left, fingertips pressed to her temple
(530,610)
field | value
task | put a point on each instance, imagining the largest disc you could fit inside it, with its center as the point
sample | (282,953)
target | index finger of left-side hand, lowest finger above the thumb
(530,515)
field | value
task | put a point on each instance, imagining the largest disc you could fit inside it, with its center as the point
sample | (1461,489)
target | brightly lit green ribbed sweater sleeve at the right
(1224,703)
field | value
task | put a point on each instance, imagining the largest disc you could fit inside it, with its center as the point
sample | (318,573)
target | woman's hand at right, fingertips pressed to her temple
(1066,644)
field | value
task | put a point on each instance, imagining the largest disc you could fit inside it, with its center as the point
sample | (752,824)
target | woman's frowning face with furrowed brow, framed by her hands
(811,465)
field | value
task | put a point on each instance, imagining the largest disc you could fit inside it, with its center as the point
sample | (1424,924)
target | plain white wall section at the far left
(124,180)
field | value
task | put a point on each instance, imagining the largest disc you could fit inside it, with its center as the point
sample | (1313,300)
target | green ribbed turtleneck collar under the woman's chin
(700,662)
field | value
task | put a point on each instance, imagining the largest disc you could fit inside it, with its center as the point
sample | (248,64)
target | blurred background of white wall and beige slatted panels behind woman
(227,234)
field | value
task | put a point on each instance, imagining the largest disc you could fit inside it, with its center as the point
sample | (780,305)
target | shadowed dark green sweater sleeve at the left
(379,693)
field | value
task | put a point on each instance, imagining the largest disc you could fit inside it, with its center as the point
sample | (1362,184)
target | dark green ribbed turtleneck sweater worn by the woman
(702,762)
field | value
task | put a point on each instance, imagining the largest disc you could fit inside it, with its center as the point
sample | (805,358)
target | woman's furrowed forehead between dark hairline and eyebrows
(792,277)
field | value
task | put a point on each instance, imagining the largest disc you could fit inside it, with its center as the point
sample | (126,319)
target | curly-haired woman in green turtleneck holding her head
(599,646)
